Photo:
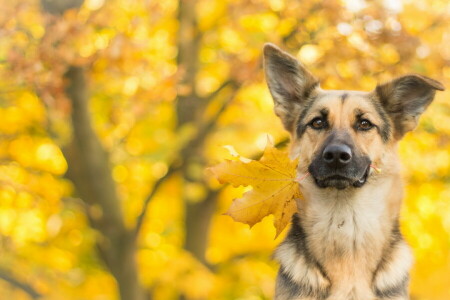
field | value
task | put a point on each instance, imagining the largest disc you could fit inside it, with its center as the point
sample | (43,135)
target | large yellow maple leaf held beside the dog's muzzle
(275,189)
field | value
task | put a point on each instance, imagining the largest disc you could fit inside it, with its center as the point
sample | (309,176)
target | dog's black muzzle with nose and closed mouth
(337,166)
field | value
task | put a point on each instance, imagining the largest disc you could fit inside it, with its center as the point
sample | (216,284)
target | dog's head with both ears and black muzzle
(336,134)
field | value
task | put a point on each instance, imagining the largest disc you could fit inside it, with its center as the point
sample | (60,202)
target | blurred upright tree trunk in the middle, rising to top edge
(189,107)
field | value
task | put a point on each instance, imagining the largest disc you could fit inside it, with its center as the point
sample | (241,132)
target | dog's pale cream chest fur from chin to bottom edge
(346,232)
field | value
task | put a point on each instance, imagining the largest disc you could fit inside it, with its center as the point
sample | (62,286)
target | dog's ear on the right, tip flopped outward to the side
(405,99)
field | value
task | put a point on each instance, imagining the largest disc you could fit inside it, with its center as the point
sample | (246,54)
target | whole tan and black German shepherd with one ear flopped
(345,242)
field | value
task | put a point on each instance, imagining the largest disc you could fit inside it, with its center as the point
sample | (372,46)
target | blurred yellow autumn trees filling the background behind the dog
(111,110)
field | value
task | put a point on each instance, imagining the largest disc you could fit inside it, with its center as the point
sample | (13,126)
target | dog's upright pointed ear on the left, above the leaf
(289,83)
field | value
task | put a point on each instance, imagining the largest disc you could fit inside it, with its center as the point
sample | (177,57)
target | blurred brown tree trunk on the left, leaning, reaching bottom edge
(90,172)
